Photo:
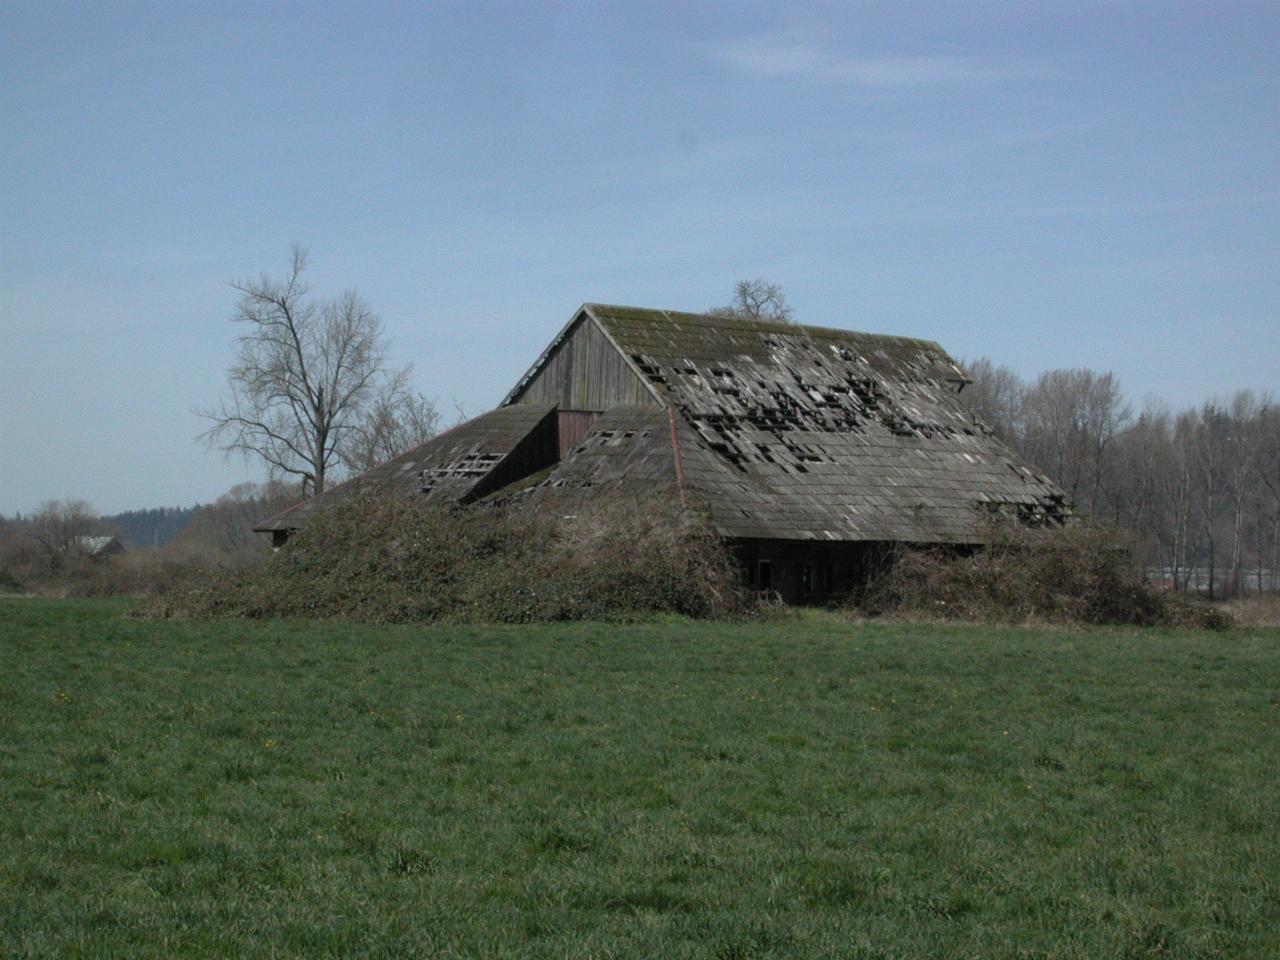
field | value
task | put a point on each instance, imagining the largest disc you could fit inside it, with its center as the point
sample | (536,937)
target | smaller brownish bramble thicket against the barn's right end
(1082,574)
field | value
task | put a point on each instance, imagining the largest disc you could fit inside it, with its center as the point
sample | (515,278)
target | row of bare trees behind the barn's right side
(1200,488)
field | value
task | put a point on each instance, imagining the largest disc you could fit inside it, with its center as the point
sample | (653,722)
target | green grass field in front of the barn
(801,789)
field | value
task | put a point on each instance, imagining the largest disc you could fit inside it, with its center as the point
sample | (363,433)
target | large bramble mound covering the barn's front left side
(394,559)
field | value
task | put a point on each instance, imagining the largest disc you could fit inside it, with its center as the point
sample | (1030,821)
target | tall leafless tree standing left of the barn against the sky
(305,380)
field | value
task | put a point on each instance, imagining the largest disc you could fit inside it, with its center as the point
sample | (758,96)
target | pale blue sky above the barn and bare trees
(1049,185)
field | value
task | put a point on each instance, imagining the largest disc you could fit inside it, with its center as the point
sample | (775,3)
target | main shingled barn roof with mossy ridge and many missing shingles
(808,433)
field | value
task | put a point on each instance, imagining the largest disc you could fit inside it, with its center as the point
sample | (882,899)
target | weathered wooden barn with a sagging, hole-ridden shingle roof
(810,449)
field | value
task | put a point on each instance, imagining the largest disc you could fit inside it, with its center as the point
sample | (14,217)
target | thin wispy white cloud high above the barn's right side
(797,58)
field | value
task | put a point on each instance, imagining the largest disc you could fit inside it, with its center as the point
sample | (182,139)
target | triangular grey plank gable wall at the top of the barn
(586,373)
